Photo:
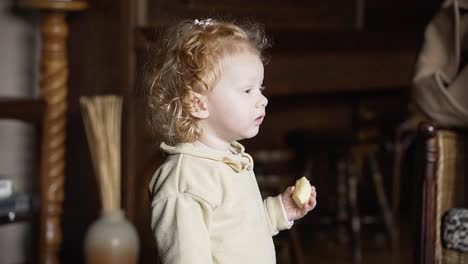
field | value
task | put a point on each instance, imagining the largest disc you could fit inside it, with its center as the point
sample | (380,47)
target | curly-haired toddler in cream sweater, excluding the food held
(204,94)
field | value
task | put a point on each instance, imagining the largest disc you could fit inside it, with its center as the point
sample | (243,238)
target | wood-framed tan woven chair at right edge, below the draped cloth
(442,159)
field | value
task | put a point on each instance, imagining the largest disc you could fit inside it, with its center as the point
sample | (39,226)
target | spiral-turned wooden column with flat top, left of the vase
(53,85)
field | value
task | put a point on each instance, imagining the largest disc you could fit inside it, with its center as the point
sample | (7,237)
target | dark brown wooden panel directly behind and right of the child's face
(327,72)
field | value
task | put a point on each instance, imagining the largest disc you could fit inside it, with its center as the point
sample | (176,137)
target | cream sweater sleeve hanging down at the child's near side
(180,226)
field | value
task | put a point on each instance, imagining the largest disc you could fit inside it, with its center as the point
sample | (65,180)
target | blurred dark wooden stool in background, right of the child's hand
(353,160)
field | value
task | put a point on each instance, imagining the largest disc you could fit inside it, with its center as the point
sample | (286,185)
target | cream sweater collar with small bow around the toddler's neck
(238,160)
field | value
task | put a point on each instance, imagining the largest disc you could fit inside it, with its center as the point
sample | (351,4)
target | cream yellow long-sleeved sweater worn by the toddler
(206,208)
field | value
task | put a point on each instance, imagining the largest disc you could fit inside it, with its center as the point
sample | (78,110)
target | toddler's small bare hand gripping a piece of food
(292,210)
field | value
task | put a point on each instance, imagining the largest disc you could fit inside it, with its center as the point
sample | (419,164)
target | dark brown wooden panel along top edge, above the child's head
(317,15)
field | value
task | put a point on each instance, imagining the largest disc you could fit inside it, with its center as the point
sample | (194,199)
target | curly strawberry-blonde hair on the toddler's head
(185,61)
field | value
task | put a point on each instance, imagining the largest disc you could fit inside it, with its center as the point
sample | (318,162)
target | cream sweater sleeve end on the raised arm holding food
(275,215)
